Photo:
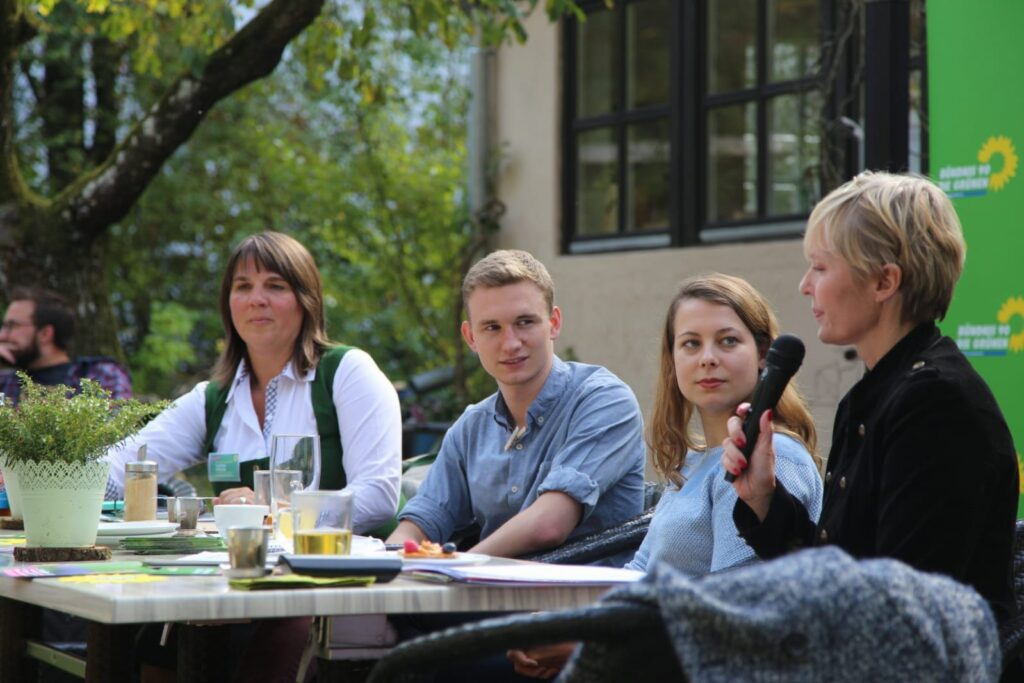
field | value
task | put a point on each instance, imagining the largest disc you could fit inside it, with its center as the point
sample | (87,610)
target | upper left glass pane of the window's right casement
(732,45)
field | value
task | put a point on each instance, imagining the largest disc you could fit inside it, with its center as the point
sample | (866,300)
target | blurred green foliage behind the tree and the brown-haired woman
(356,145)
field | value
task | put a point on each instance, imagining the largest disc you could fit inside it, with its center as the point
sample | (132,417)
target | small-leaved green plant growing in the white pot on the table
(51,425)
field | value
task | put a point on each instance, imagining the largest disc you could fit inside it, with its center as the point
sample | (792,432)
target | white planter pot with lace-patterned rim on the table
(61,502)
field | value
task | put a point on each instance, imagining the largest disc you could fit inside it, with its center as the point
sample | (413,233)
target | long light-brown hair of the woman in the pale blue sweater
(669,432)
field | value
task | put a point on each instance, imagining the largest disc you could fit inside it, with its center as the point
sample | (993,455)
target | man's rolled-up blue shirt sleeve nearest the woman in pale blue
(607,445)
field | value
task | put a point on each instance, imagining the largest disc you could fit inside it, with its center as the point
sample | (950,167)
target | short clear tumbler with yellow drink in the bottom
(322,523)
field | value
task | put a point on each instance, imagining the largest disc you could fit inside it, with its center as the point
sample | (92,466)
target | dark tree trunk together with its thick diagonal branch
(59,242)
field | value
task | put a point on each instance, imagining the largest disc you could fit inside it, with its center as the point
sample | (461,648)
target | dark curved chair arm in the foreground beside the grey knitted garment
(632,636)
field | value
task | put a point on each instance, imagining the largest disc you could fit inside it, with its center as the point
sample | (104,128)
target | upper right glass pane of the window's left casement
(649,27)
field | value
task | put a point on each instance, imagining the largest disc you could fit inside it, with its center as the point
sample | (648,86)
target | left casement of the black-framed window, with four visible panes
(621,123)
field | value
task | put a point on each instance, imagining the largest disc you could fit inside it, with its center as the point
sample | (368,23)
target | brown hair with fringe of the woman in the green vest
(284,255)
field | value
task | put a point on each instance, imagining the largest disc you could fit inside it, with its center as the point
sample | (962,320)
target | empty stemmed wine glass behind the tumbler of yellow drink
(295,466)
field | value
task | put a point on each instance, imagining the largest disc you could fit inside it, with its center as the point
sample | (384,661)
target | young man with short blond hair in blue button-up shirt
(558,452)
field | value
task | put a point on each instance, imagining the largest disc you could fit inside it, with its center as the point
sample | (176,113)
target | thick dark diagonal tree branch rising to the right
(106,195)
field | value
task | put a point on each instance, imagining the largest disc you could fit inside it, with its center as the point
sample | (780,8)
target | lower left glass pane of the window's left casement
(598,186)
